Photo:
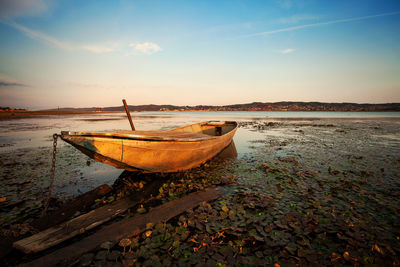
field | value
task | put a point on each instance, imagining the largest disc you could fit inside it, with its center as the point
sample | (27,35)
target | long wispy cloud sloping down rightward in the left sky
(97,49)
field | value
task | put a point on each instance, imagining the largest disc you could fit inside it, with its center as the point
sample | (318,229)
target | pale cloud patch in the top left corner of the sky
(16,8)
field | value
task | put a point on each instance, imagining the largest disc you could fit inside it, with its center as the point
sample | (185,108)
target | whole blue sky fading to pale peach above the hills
(95,53)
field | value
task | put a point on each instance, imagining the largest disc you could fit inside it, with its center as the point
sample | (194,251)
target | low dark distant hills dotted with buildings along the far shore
(255,106)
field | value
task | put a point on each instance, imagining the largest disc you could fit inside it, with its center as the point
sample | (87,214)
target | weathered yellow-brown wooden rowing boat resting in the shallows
(156,151)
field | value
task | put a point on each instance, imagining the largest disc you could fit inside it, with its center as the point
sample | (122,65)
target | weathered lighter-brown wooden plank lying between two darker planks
(71,228)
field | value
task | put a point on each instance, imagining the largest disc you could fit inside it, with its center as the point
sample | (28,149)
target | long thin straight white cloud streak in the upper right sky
(295,28)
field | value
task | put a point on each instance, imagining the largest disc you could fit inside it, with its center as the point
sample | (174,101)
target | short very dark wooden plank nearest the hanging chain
(70,208)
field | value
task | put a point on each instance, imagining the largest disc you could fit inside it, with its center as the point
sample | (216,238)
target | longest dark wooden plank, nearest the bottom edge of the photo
(127,227)
